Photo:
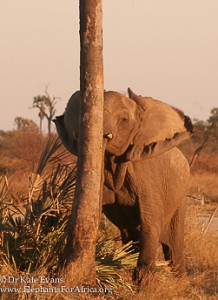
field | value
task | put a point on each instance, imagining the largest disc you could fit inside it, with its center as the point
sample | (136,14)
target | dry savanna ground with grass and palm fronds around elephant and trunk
(37,181)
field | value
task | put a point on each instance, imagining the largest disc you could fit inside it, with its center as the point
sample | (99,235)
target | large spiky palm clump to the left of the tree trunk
(30,238)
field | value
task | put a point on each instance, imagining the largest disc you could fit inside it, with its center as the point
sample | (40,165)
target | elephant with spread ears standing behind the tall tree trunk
(145,174)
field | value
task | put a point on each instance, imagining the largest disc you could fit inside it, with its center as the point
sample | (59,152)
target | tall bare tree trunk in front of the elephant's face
(82,236)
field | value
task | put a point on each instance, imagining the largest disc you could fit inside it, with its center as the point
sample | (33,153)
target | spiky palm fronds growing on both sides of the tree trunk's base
(33,233)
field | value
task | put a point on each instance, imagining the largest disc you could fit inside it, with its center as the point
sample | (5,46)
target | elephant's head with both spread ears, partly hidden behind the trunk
(135,127)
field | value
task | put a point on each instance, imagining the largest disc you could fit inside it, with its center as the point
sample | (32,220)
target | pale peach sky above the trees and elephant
(166,49)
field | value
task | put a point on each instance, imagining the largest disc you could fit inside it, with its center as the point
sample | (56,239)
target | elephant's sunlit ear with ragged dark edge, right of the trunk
(161,127)
